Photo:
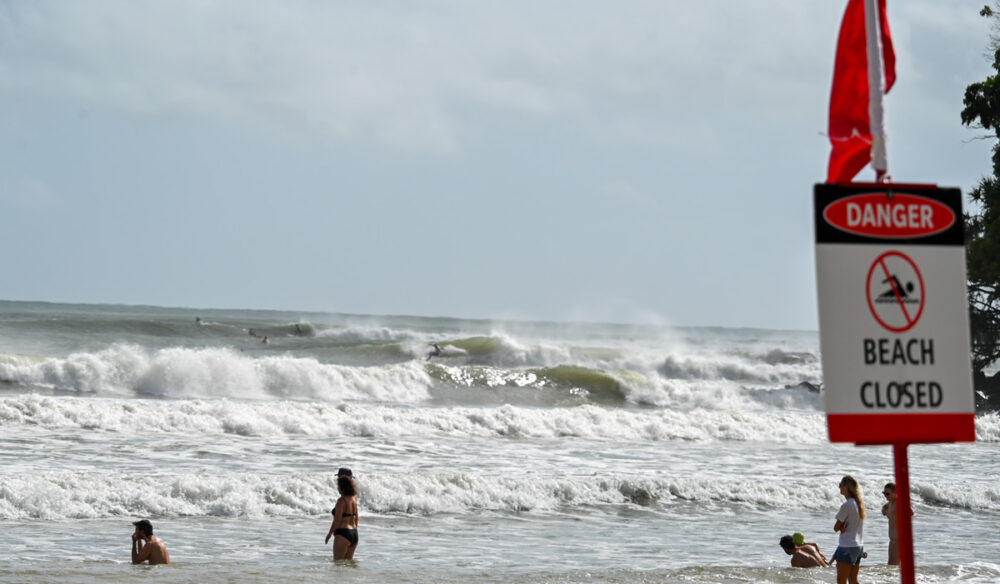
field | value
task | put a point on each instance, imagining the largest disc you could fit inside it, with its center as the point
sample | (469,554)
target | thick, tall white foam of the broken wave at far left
(217,372)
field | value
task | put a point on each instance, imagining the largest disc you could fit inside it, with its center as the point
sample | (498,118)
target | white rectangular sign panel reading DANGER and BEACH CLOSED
(894,331)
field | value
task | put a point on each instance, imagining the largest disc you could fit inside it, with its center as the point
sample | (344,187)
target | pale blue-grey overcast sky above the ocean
(599,161)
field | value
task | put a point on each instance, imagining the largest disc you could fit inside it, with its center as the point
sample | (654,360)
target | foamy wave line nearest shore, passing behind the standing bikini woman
(59,495)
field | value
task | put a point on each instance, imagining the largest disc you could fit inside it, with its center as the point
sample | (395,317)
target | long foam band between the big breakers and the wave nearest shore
(249,418)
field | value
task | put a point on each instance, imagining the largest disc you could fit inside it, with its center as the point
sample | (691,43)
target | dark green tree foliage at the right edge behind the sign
(982,110)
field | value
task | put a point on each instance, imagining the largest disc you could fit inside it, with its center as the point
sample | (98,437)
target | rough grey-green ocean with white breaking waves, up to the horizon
(524,452)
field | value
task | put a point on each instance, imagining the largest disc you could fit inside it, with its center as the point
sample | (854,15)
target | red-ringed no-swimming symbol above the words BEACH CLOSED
(895,291)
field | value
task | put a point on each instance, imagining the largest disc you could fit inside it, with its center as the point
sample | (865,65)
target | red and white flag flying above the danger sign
(853,107)
